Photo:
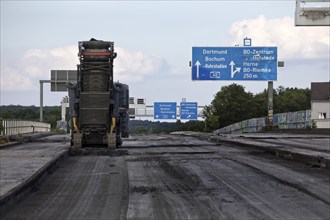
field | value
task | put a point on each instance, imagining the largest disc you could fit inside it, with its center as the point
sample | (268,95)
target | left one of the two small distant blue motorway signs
(165,110)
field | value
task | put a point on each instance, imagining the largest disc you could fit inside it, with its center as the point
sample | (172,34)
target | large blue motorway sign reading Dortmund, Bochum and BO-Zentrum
(234,63)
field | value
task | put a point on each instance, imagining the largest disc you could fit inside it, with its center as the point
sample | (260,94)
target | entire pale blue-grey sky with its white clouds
(154,41)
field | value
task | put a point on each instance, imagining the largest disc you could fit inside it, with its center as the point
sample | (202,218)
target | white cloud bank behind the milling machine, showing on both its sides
(36,64)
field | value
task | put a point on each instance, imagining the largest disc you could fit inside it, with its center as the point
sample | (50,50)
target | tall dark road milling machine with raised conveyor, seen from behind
(98,105)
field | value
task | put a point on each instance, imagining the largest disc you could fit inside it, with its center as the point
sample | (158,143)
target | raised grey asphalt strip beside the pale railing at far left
(20,163)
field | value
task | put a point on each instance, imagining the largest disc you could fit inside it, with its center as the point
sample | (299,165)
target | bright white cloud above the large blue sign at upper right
(292,42)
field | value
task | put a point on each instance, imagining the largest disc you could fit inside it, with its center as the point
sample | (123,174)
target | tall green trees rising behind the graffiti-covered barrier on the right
(233,104)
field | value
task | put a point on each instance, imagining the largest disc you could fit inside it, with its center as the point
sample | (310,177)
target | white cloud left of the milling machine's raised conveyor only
(35,65)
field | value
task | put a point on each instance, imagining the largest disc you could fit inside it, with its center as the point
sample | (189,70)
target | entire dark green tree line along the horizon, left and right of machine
(230,105)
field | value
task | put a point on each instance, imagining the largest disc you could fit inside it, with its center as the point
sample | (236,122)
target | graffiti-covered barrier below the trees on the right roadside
(288,120)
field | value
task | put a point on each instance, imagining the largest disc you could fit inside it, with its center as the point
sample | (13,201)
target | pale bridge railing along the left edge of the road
(12,127)
